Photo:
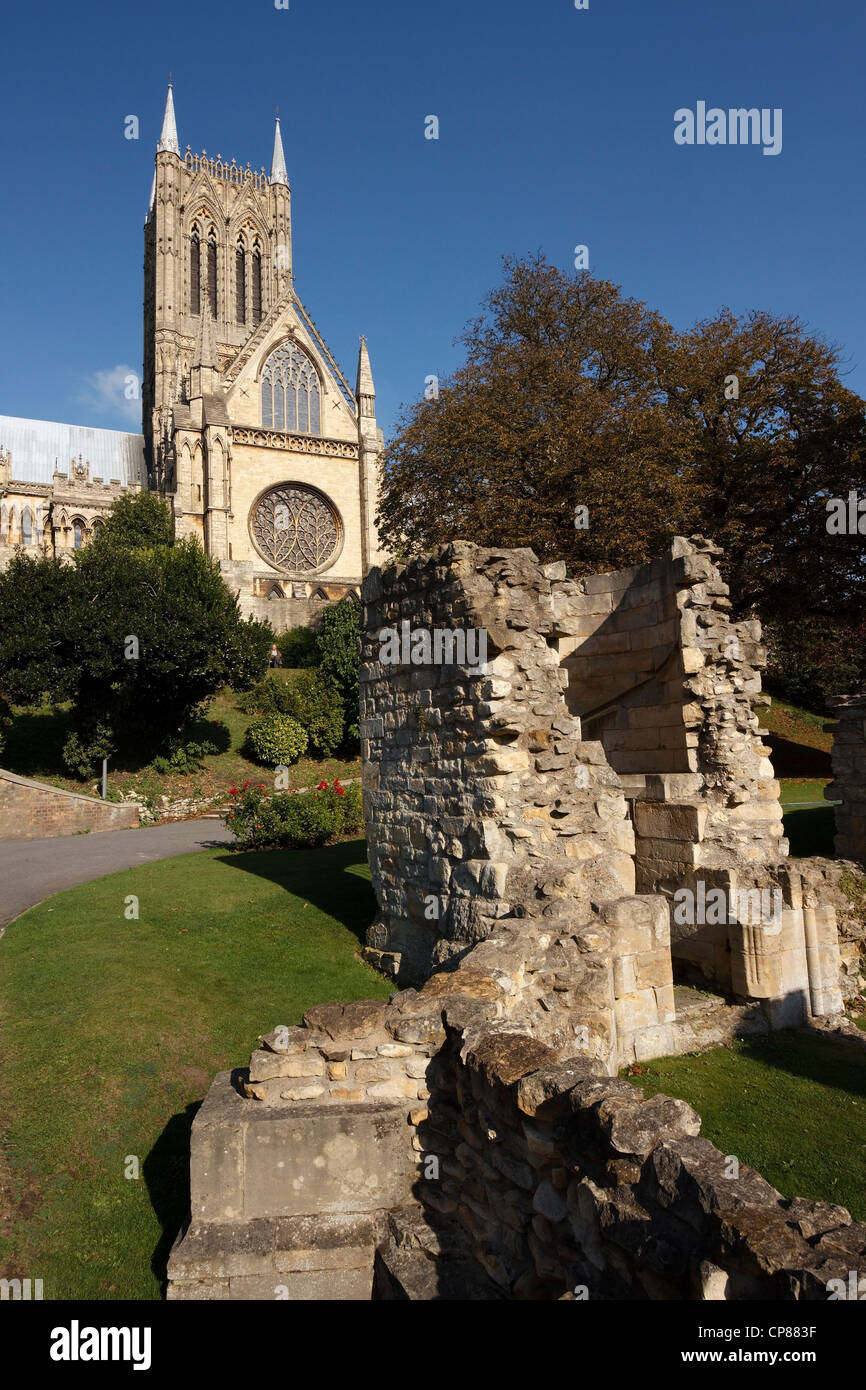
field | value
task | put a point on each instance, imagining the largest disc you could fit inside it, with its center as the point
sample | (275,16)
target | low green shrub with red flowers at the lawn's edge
(294,819)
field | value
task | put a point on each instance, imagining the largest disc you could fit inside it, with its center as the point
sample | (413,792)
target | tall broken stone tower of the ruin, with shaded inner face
(486,801)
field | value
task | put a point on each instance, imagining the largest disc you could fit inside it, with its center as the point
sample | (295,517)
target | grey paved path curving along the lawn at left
(34,869)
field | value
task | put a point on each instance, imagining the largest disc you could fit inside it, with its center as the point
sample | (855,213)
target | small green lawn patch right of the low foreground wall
(792,1106)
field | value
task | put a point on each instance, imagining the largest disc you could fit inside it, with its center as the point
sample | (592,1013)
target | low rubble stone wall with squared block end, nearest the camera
(476,1161)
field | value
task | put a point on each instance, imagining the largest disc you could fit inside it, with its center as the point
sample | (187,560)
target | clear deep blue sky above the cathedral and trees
(555,130)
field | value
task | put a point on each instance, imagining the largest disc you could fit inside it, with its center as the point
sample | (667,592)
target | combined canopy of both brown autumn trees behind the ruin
(576,397)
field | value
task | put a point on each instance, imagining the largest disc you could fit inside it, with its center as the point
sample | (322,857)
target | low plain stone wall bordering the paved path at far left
(33,811)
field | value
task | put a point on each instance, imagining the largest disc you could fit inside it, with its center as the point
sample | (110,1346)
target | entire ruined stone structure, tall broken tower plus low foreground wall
(468,1140)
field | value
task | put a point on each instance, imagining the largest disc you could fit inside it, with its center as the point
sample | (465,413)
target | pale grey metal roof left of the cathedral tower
(42,447)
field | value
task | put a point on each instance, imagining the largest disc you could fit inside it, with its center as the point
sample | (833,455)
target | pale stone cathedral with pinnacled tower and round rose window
(251,430)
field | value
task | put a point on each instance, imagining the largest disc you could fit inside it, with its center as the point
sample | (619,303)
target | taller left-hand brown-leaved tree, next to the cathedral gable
(557,408)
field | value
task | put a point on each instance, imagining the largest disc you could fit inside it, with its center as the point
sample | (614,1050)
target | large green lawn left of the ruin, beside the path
(112,1032)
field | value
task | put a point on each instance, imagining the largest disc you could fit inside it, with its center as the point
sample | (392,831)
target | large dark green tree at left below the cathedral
(137,639)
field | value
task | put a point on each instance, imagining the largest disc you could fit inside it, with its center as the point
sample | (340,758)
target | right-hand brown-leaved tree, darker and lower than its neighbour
(775,434)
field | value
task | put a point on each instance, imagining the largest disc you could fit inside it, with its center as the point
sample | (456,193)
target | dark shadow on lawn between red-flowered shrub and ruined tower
(326,878)
